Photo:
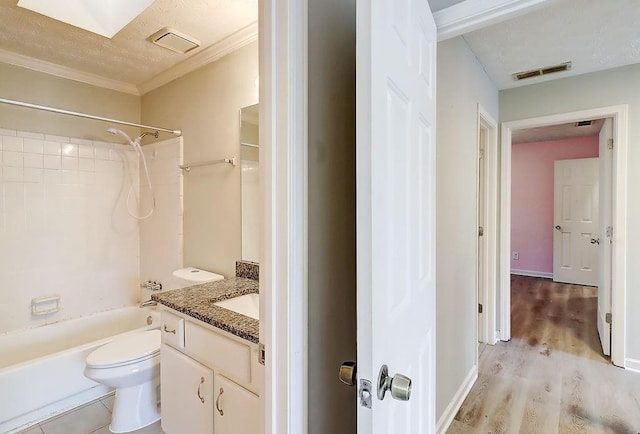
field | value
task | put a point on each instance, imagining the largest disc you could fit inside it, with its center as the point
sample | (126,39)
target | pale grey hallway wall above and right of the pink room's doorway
(599,89)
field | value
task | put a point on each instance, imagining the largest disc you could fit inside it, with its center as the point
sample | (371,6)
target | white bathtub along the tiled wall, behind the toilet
(42,369)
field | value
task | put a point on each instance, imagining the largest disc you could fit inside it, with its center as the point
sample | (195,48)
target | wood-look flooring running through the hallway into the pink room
(552,376)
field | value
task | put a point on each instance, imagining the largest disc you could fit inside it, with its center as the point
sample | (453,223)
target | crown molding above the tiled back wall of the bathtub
(65,72)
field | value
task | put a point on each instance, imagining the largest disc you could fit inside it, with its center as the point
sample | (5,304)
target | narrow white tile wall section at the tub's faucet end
(161,234)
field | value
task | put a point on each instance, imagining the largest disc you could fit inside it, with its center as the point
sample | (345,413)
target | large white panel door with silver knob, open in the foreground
(396,58)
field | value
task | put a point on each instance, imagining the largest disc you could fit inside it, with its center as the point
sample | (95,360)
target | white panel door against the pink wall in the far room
(575,209)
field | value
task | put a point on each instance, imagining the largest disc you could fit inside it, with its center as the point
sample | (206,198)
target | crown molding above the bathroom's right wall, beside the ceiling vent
(210,54)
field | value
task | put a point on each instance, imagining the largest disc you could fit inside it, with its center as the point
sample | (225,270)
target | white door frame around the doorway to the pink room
(619,114)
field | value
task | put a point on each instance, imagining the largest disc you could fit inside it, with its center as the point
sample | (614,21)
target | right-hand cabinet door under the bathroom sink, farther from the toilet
(237,411)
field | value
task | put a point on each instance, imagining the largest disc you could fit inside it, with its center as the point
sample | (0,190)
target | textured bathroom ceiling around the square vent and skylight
(128,57)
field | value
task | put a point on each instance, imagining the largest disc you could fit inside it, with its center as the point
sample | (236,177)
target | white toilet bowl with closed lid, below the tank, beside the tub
(131,365)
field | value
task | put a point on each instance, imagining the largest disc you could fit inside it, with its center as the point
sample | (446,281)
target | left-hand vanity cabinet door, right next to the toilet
(187,394)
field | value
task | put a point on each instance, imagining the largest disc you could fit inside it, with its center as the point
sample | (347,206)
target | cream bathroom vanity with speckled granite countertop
(211,376)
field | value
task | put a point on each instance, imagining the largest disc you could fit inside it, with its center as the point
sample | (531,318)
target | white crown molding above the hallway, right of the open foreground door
(471,15)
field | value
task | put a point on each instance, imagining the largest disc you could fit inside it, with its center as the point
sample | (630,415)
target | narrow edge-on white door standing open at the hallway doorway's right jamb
(606,194)
